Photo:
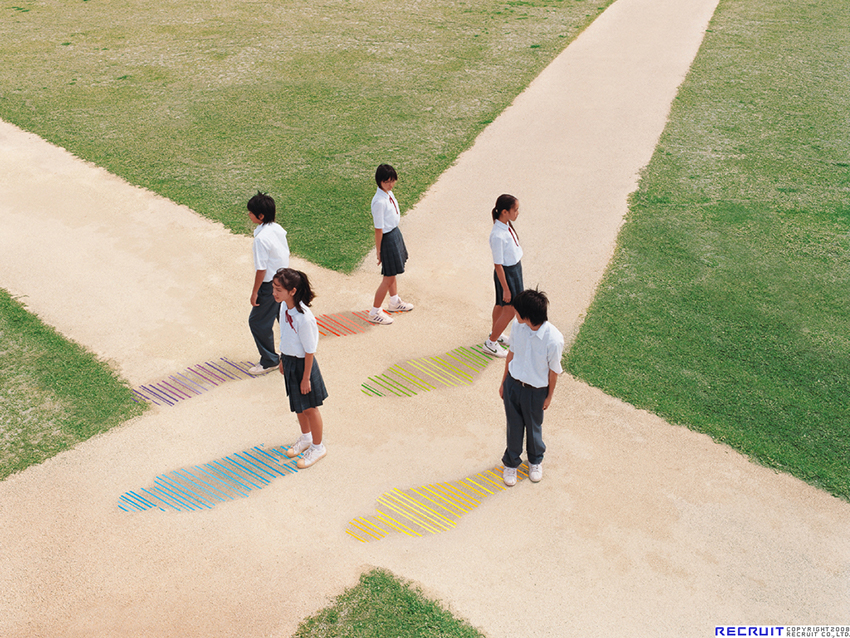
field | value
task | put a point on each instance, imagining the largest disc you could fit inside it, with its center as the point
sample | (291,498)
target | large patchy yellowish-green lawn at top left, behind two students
(205,103)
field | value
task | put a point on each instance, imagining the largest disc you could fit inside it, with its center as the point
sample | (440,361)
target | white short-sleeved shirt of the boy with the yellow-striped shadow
(535,353)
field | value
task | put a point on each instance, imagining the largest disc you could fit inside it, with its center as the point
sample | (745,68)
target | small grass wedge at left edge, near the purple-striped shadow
(53,393)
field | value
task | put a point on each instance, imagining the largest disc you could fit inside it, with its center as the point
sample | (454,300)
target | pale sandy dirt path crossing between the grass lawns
(638,525)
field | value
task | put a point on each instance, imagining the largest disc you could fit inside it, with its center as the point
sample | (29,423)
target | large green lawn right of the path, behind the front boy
(727,305)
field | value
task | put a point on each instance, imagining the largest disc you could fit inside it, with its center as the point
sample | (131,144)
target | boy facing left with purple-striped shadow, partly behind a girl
(271,252)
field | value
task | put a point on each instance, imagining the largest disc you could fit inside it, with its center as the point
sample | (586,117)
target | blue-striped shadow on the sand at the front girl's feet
(202,487)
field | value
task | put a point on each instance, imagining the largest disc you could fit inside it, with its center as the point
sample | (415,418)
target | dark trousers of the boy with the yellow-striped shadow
(524,413)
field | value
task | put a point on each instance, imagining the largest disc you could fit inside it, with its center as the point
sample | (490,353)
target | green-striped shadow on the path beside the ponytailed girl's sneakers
(455,368)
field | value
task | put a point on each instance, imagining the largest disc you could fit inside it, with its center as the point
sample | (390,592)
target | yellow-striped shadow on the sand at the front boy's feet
(429,509)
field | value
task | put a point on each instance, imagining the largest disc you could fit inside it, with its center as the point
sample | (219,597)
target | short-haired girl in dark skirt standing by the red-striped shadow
(389,244)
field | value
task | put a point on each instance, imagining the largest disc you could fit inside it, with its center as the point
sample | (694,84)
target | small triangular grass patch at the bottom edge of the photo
(381,606)
